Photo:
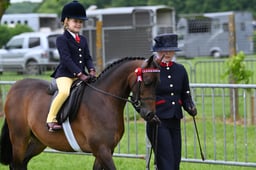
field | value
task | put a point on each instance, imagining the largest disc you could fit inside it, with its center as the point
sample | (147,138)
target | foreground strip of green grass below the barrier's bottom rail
(82,162)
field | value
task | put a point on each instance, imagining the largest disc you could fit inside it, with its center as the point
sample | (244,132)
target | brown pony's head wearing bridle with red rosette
(143,90)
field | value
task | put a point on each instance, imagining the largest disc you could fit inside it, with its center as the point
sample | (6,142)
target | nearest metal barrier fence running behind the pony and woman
(226,138)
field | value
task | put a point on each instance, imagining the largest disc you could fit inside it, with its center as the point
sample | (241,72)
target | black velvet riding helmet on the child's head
(73,10)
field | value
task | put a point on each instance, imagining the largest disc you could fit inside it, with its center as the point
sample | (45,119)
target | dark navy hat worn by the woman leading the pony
(166,42)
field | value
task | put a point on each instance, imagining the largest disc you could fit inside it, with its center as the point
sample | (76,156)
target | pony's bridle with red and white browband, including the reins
(135,99)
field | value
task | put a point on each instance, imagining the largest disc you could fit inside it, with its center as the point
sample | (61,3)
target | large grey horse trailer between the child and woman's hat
(127,31)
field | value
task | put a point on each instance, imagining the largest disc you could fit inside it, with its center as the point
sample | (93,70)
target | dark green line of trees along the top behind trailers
(181,6)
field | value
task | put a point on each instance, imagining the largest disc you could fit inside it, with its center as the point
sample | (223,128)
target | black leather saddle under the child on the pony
(71,105)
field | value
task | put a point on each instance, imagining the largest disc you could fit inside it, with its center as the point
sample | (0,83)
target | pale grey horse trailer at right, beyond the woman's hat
(208,34)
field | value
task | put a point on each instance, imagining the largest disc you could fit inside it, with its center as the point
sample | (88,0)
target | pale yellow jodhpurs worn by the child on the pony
(64,84)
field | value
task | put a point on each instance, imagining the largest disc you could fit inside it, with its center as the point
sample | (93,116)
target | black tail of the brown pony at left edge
(5,145)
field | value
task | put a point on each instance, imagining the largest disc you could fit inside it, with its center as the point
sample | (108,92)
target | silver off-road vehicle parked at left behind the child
(25,52)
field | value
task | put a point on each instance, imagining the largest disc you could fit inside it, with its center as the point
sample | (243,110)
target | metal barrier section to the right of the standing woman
(227,138)
